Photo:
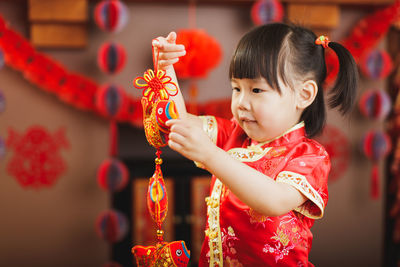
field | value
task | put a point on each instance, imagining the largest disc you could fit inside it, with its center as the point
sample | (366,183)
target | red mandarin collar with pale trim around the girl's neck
(293,134)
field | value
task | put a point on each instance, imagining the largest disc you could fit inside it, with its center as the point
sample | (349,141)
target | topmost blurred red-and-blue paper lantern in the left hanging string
(111,15)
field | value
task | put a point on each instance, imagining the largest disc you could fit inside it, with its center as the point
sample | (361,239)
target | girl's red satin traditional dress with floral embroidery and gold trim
(236,235)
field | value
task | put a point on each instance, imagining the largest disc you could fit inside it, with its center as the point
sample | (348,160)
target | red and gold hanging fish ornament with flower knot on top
(158,108)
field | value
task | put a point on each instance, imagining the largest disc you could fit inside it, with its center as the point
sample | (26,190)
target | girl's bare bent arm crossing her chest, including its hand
(255,189)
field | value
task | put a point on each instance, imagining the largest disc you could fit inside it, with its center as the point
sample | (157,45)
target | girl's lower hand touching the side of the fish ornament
(188,138)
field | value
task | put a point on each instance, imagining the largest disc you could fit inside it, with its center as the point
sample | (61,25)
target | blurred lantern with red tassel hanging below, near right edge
(376,145)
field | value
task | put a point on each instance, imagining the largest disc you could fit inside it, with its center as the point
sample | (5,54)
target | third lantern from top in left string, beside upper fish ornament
(111,100)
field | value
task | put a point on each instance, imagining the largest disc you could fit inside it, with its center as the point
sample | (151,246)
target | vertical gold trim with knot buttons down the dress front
(214,231)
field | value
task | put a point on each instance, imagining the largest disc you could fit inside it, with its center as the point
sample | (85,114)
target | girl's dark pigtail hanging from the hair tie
(343,93)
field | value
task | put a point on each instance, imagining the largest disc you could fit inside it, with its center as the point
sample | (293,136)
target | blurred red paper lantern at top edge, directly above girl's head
(266,11)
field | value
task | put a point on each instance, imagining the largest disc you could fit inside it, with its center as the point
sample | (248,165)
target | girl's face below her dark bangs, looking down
(262,112)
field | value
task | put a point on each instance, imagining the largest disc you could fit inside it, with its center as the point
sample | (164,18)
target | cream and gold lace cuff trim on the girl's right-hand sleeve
(300,183)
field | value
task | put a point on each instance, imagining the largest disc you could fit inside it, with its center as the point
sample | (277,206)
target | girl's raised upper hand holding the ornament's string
(169,51)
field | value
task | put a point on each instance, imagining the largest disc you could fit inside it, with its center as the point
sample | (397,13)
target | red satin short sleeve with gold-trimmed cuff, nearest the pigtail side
(308,172)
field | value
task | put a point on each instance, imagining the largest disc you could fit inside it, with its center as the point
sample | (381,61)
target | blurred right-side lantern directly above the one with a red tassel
(375,104)
